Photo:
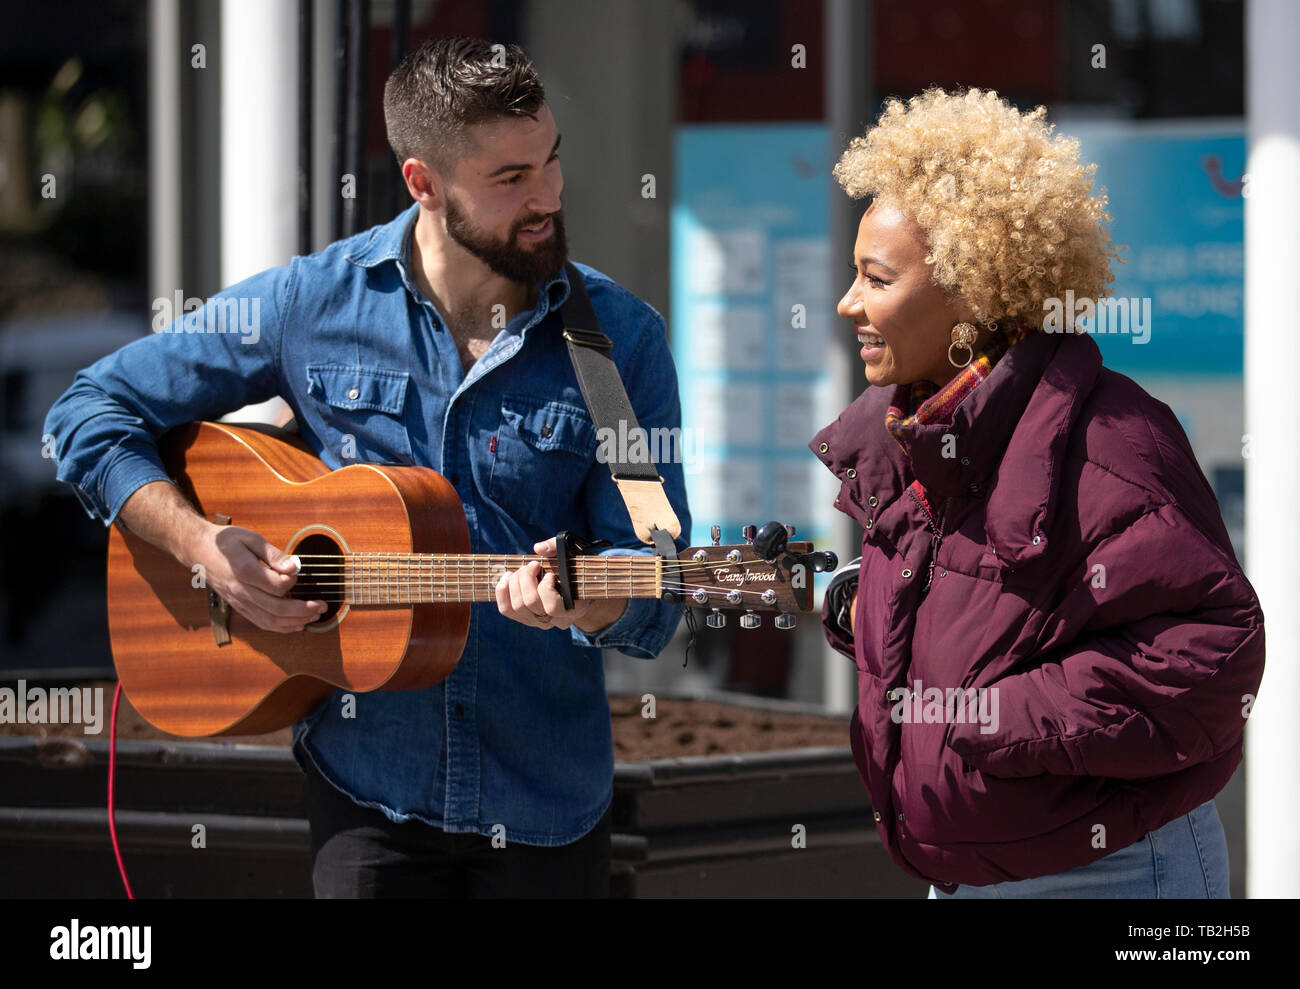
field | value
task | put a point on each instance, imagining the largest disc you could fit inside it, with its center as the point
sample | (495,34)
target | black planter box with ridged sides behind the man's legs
(720,826)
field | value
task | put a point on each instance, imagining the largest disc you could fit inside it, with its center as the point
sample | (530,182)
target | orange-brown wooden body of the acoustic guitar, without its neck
(162,626)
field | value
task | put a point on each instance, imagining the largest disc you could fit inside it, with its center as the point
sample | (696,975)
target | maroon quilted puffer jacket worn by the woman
(1085,572)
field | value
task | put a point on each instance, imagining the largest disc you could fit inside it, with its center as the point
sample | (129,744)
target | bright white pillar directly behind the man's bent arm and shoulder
(259,145)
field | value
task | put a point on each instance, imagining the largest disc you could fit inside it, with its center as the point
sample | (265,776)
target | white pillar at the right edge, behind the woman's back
(1273,427)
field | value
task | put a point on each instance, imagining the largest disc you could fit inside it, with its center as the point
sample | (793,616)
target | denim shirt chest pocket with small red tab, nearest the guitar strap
(543,456)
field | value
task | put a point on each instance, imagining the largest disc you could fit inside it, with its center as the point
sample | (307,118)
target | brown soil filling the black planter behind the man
(681,728)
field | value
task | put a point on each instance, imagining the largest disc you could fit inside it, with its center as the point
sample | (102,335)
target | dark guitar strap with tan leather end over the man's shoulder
(636,479)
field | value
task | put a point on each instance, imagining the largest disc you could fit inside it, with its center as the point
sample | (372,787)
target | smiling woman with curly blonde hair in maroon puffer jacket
(1052,634)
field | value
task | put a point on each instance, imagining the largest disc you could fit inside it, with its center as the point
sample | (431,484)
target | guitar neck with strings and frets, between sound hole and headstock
(422,579)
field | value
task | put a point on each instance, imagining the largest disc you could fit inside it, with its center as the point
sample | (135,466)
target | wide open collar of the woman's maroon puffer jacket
(1007,443)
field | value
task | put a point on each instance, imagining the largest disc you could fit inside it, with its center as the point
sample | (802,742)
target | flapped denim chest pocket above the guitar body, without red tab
(363,407)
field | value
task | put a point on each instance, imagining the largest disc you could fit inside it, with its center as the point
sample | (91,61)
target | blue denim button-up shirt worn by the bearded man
(519,735)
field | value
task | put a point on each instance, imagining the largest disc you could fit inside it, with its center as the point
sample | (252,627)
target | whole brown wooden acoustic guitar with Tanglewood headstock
(388,549)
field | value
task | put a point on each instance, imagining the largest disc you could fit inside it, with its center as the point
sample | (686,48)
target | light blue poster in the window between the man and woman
(752,305)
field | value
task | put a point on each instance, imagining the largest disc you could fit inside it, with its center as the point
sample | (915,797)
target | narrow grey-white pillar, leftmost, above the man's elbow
(166,242)
